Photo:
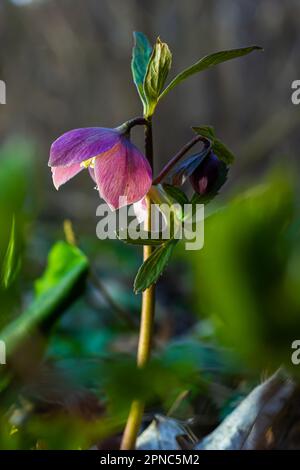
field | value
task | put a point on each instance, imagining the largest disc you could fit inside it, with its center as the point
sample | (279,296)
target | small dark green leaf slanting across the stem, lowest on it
(153,267)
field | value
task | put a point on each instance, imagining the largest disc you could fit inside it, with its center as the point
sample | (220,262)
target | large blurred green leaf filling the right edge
(247,277)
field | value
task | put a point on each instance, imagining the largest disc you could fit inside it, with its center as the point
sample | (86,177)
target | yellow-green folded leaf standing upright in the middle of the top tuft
(157,71)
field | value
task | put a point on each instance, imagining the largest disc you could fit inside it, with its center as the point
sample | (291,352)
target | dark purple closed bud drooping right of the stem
(209,175)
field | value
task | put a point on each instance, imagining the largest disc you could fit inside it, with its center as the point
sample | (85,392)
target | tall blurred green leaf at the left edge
(16,209)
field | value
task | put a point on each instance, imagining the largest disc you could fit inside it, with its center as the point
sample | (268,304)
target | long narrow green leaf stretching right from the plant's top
(207,62)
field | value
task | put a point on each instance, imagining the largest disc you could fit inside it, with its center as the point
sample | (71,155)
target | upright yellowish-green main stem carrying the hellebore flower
(146,327)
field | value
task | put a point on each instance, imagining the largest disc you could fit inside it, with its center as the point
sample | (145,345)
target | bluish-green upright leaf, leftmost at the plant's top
(141,54)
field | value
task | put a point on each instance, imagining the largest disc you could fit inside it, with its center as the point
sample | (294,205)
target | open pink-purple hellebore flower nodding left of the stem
(119,169)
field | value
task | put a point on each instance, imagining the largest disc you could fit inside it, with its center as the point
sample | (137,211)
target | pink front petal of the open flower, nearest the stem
(122,172)
